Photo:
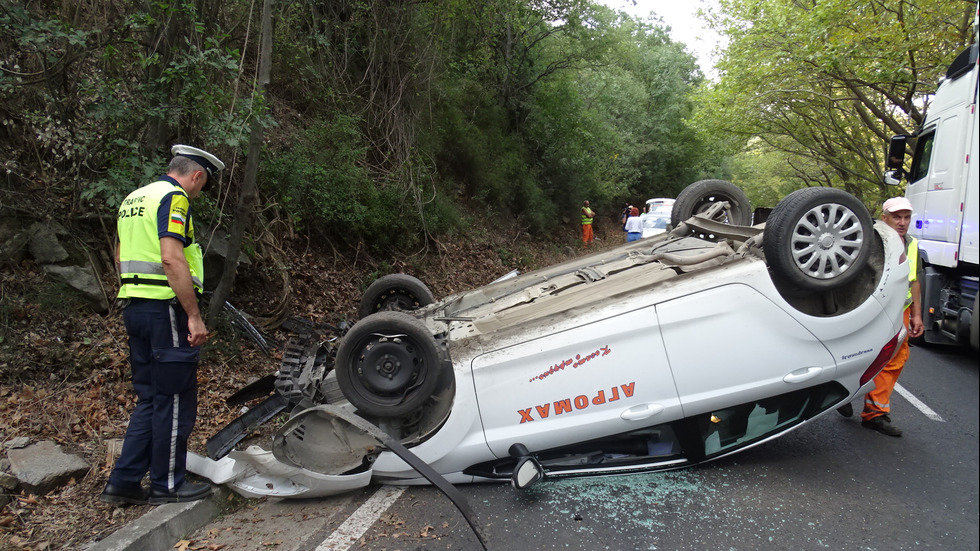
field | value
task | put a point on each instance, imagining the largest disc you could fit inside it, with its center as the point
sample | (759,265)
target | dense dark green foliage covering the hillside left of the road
(391,122)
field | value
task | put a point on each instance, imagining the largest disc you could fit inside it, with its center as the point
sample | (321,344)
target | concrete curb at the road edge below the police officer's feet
(165,525)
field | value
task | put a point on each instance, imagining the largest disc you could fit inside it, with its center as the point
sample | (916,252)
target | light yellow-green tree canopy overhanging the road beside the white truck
(825,83)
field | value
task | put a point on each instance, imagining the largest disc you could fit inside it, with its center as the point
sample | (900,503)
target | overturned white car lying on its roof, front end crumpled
(682,348)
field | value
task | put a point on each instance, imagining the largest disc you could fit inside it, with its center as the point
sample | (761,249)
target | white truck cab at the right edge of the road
(942,187)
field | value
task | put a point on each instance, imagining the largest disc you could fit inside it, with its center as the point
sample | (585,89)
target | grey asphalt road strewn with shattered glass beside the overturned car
(829,485)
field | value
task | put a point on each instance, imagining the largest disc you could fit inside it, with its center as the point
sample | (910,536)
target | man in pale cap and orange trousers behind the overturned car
(897,213)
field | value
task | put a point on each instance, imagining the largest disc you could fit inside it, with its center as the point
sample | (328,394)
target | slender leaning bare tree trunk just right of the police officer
(246,200)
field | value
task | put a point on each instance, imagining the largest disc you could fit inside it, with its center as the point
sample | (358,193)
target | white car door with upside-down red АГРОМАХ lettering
(603,377)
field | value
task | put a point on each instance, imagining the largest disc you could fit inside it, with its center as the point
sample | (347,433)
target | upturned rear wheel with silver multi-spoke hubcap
(818,238)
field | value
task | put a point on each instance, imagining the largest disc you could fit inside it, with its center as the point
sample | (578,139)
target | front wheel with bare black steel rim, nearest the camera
(388,364)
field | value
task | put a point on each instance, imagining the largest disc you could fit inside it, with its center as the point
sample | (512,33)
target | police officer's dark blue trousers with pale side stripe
(164,369)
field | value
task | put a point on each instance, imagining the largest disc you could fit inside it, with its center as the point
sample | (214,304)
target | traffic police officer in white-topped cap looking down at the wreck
(162,273)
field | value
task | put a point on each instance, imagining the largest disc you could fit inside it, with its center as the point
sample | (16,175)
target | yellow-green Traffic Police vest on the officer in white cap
(141,265)
